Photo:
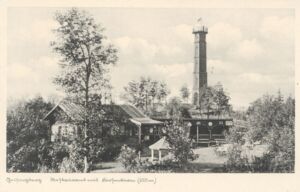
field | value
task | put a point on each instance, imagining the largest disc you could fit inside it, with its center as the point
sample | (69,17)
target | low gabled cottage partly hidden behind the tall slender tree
(66,118)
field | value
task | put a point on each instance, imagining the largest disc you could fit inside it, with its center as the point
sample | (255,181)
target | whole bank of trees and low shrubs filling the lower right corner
(270,120)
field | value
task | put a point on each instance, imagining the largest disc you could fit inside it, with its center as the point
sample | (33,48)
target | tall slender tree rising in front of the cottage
(85,57)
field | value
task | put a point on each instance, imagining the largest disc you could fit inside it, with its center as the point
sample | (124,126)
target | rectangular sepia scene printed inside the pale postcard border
(150,90)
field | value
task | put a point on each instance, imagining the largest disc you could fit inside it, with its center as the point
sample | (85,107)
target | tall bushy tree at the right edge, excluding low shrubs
(273,121)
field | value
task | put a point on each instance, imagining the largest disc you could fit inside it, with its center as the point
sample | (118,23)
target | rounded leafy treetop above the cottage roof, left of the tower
(145,93)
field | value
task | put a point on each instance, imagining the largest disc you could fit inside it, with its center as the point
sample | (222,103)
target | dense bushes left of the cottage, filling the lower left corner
(28,145)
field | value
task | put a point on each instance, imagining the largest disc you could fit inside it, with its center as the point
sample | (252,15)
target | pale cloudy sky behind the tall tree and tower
(249,51)
